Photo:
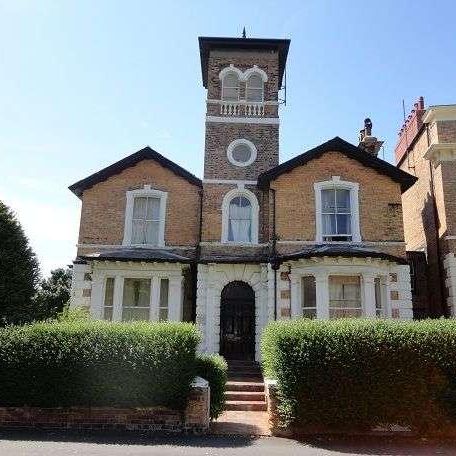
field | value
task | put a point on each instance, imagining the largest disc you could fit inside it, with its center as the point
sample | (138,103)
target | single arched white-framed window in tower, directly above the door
(240,217)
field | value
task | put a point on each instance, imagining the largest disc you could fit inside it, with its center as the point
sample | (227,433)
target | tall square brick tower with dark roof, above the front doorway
(243,77)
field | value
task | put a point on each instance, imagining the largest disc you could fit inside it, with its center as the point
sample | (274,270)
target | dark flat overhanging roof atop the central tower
(207,44)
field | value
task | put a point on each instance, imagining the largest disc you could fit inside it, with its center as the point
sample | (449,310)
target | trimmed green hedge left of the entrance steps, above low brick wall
(97,363)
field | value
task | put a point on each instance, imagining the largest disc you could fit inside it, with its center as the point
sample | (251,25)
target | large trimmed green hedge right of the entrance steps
(363,373)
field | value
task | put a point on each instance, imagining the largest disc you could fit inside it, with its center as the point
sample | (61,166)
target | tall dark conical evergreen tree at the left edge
(19,271)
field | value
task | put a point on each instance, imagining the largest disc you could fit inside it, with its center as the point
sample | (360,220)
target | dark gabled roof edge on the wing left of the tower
(144,154)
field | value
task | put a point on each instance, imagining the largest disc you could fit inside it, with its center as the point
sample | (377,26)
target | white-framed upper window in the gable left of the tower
(145,217)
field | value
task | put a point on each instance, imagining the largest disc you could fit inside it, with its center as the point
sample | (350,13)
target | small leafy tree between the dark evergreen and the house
(53,294)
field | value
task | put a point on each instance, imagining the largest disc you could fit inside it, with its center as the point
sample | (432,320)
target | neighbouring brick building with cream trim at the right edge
(426,148)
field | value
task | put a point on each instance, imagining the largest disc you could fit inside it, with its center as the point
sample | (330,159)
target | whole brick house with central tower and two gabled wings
(320,235)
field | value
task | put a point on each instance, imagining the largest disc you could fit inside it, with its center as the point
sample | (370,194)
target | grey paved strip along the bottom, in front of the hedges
(56,445)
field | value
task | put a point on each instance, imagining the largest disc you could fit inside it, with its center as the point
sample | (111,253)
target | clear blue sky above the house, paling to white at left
(85,83)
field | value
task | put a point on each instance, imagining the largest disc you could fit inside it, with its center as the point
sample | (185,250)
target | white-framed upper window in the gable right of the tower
(337,215)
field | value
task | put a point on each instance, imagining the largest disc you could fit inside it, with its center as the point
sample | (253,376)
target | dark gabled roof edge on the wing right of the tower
(339,145)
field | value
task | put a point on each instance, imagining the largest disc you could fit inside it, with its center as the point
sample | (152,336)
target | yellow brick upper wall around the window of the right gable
(379,199)
